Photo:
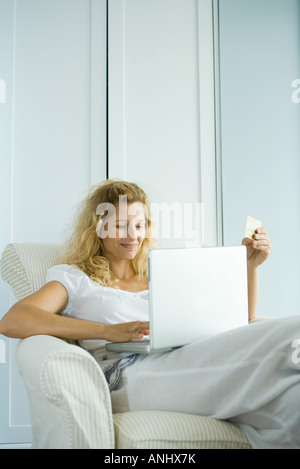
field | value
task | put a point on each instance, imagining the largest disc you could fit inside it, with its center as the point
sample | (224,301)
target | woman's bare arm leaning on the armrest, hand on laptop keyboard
(39,314)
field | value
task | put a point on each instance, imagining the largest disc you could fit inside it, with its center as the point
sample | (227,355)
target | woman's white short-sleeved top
(93,302)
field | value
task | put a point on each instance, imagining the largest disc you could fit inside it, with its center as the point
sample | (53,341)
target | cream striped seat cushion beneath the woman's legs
(170,430)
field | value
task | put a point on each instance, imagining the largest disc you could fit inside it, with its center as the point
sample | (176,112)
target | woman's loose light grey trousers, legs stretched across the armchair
(249,376)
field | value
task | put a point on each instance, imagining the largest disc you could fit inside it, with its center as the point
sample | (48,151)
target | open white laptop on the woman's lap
(194,293)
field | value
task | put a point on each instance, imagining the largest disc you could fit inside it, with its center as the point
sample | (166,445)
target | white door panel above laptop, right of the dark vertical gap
(161,101)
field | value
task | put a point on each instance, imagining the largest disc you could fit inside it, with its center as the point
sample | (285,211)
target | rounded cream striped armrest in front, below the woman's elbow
(70,406)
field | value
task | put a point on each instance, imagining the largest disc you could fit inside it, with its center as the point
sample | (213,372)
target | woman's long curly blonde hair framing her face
(85,250)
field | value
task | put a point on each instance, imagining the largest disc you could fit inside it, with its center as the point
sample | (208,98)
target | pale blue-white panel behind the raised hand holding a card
(260,59)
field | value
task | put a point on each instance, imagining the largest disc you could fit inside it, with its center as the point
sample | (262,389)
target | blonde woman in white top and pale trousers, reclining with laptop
(99,293)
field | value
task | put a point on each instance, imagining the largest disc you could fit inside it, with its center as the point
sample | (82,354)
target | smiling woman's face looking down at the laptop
(124,231)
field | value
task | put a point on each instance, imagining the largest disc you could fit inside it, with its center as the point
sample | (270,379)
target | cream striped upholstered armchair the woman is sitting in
(69,399)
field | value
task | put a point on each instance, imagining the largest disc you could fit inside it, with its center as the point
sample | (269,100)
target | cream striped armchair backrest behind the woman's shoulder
(24,266)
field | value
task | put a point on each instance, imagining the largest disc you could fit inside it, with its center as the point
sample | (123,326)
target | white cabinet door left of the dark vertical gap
(53,141)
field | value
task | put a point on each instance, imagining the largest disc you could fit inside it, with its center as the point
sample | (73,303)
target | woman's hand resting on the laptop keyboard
(126,332)
